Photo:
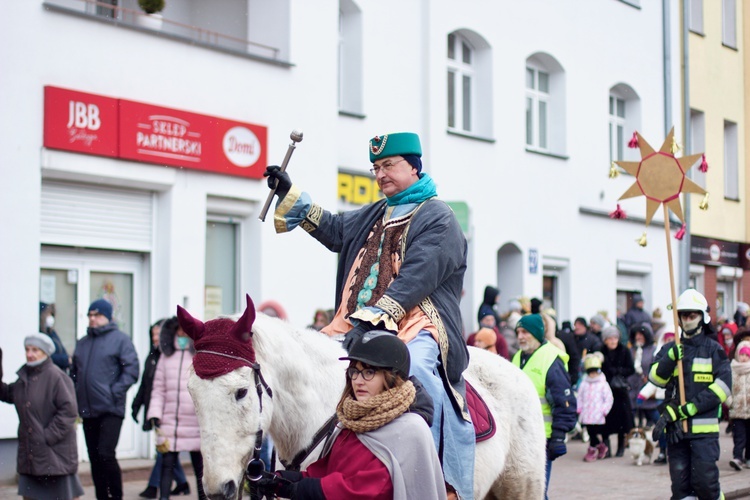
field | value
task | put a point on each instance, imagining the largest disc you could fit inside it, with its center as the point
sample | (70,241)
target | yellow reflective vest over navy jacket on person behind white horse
(546,369)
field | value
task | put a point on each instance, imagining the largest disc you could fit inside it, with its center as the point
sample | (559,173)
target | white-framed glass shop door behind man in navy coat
(71,279)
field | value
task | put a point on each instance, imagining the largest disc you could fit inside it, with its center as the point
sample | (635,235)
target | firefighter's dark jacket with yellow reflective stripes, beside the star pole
(708,381)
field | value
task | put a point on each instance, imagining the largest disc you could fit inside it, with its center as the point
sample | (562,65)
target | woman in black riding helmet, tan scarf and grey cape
(381,448)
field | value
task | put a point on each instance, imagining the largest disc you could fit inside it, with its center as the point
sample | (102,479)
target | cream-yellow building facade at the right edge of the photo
(719,260)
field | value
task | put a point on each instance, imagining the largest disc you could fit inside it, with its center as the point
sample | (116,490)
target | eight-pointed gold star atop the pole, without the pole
(661,177)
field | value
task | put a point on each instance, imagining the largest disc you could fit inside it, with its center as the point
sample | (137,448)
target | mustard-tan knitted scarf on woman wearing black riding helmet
(375,412)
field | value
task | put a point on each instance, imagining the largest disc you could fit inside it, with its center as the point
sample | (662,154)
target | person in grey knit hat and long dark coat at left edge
(46,405)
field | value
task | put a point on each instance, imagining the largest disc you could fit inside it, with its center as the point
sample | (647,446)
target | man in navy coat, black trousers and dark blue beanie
(105,365)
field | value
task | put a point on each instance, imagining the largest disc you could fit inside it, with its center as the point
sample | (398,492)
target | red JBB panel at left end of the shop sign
(84,123)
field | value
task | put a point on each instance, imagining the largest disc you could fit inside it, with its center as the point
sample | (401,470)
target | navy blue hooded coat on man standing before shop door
(105,365)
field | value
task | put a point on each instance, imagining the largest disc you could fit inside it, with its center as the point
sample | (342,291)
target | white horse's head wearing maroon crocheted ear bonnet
(222,385)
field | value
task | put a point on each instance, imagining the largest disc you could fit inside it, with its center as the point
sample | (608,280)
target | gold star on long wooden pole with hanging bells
(661,177)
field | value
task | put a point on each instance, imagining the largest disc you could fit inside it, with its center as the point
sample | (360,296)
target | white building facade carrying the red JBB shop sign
(134,168)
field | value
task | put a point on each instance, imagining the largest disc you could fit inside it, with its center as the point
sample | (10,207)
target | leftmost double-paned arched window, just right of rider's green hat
(469,84)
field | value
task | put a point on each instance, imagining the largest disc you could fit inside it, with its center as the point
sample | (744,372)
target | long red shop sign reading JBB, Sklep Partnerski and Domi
(119,128)
